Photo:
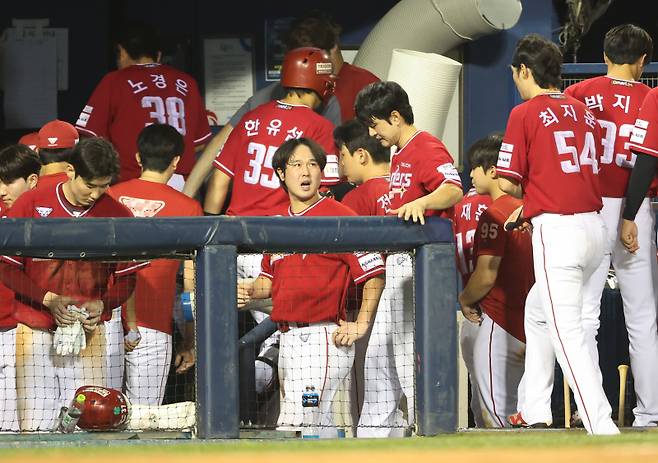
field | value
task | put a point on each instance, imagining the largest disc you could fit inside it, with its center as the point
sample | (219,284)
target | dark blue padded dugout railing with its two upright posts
(215,242)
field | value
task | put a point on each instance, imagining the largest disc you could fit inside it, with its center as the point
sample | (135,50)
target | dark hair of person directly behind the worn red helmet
(315,29)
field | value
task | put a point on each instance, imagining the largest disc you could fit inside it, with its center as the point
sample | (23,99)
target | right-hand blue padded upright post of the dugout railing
(436,339)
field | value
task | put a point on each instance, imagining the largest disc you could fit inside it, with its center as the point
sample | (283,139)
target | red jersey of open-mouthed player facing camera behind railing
(313,287)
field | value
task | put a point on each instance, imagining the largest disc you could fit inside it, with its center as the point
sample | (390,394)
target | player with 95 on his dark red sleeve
(495,294)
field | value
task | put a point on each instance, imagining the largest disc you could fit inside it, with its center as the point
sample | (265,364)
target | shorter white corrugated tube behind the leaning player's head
(438,79)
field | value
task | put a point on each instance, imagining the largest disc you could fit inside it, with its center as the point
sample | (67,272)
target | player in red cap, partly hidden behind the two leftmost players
(55,143)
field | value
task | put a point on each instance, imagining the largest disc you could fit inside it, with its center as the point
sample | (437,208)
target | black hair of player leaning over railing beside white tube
(379,99)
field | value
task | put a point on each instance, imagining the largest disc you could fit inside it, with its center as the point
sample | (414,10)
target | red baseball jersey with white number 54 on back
(551,145)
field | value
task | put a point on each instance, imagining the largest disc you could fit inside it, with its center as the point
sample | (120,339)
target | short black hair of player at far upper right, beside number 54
(626,43)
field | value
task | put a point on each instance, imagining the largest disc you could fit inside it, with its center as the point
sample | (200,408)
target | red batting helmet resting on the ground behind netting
(104,408)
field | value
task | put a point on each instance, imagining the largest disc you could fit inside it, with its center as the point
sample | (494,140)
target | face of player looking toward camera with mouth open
(302,176)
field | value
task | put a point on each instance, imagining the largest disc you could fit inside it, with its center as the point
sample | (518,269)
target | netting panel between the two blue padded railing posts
(367,390)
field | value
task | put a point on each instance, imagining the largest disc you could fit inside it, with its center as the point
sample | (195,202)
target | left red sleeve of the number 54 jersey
(513,157)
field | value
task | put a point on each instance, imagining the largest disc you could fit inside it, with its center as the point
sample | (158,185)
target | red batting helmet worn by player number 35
(311,68)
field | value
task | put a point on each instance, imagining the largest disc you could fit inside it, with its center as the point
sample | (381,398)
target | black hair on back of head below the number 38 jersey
(158,145)
